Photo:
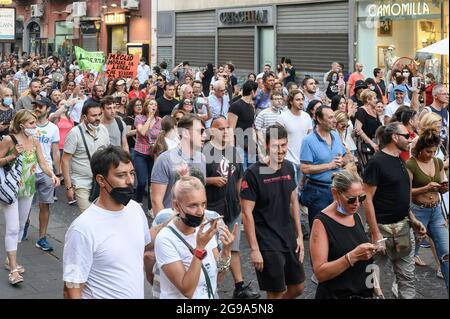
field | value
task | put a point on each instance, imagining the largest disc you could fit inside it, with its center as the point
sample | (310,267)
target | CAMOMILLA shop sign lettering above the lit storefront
(398,9)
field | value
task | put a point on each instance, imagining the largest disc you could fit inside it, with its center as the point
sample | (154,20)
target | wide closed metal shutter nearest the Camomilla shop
(313,35)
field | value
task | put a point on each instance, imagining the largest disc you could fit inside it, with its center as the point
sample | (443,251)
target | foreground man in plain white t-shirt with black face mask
(104,247)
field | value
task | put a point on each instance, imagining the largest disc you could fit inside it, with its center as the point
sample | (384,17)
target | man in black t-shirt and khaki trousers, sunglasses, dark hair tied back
(388,189)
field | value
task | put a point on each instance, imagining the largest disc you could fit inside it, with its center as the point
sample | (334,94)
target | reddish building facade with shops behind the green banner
(53,27)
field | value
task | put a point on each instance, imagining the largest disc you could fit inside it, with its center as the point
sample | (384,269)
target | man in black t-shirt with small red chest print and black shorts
(271,215)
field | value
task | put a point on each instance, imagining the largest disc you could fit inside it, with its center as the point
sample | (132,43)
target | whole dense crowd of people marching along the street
(355,165)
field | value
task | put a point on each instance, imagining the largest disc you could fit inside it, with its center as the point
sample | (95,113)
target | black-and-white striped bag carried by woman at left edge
(10,179)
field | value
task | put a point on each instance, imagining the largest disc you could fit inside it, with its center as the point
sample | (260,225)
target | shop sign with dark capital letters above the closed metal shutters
(245,16)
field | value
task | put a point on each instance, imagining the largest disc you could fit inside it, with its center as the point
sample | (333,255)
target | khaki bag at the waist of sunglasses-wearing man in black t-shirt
(398,243)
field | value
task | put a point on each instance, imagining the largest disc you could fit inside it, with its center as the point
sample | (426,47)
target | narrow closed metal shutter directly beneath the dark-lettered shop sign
(237,45)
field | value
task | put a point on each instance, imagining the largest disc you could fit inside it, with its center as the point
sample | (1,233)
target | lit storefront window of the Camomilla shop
(396,30)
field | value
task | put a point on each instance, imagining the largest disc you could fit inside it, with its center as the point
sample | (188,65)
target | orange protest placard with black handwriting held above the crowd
(122,66)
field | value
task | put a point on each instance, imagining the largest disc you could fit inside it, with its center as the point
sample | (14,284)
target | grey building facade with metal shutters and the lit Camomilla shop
(312,33)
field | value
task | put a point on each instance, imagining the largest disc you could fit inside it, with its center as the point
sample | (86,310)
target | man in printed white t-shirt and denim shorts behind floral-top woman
(48,135)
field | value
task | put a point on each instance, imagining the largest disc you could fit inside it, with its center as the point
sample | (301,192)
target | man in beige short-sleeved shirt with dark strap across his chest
(81,143)
